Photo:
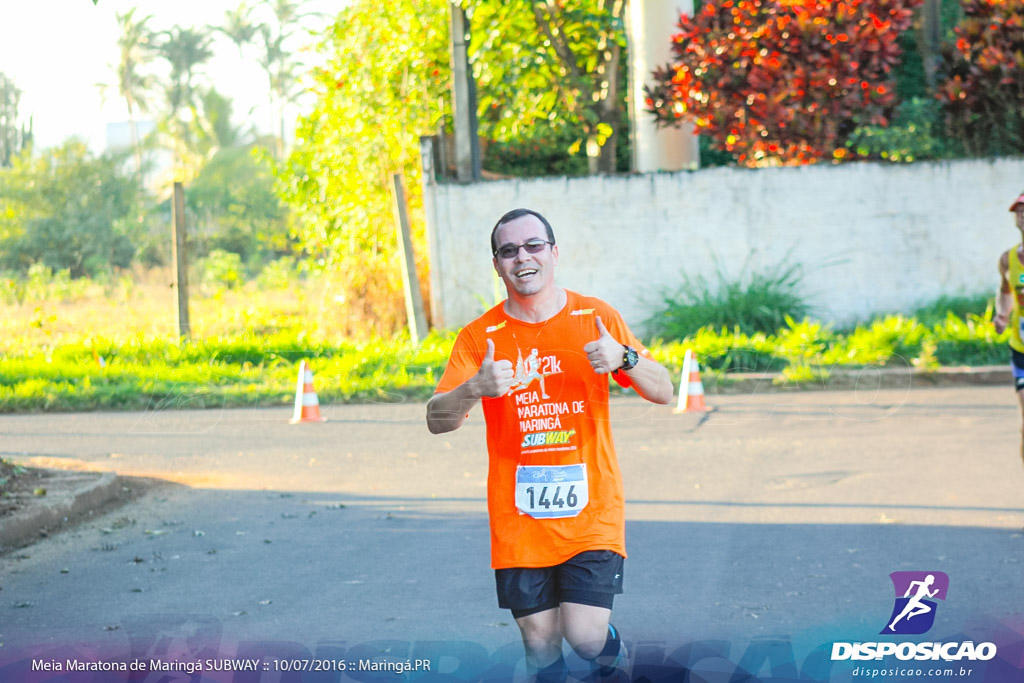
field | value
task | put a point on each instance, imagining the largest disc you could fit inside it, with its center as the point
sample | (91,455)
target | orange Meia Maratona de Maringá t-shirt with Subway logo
(557,413)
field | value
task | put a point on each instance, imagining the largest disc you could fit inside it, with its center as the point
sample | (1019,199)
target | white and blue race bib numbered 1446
(550,492)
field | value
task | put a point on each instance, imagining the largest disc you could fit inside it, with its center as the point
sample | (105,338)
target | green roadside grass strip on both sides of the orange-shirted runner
(253,371)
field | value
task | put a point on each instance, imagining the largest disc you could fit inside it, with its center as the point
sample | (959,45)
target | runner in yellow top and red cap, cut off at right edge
(1009,303)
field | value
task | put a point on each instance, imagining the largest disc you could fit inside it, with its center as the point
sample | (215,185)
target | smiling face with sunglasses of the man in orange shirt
(526,275)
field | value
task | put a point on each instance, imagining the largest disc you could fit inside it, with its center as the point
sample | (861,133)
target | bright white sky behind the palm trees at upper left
(58,51)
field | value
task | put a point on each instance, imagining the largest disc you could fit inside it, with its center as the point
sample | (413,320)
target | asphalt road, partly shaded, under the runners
(773,524)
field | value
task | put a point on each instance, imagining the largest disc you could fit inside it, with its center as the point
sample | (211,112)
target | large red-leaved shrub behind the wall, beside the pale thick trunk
(783,82)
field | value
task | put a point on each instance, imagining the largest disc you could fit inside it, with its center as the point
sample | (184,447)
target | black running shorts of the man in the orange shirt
(592,578)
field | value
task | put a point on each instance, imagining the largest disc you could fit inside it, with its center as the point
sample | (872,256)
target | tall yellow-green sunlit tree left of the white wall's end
(387,71)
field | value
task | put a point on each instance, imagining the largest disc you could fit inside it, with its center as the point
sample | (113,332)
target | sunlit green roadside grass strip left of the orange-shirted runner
(247,372)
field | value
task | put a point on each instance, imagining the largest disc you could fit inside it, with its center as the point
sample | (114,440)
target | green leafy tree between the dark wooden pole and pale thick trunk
(551,63)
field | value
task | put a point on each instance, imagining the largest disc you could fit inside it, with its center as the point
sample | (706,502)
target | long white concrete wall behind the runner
(871,238)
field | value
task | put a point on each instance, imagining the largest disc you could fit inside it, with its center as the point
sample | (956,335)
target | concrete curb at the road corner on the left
(27,526)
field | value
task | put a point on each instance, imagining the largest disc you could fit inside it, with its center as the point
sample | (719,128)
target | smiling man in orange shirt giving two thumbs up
(554,489)
